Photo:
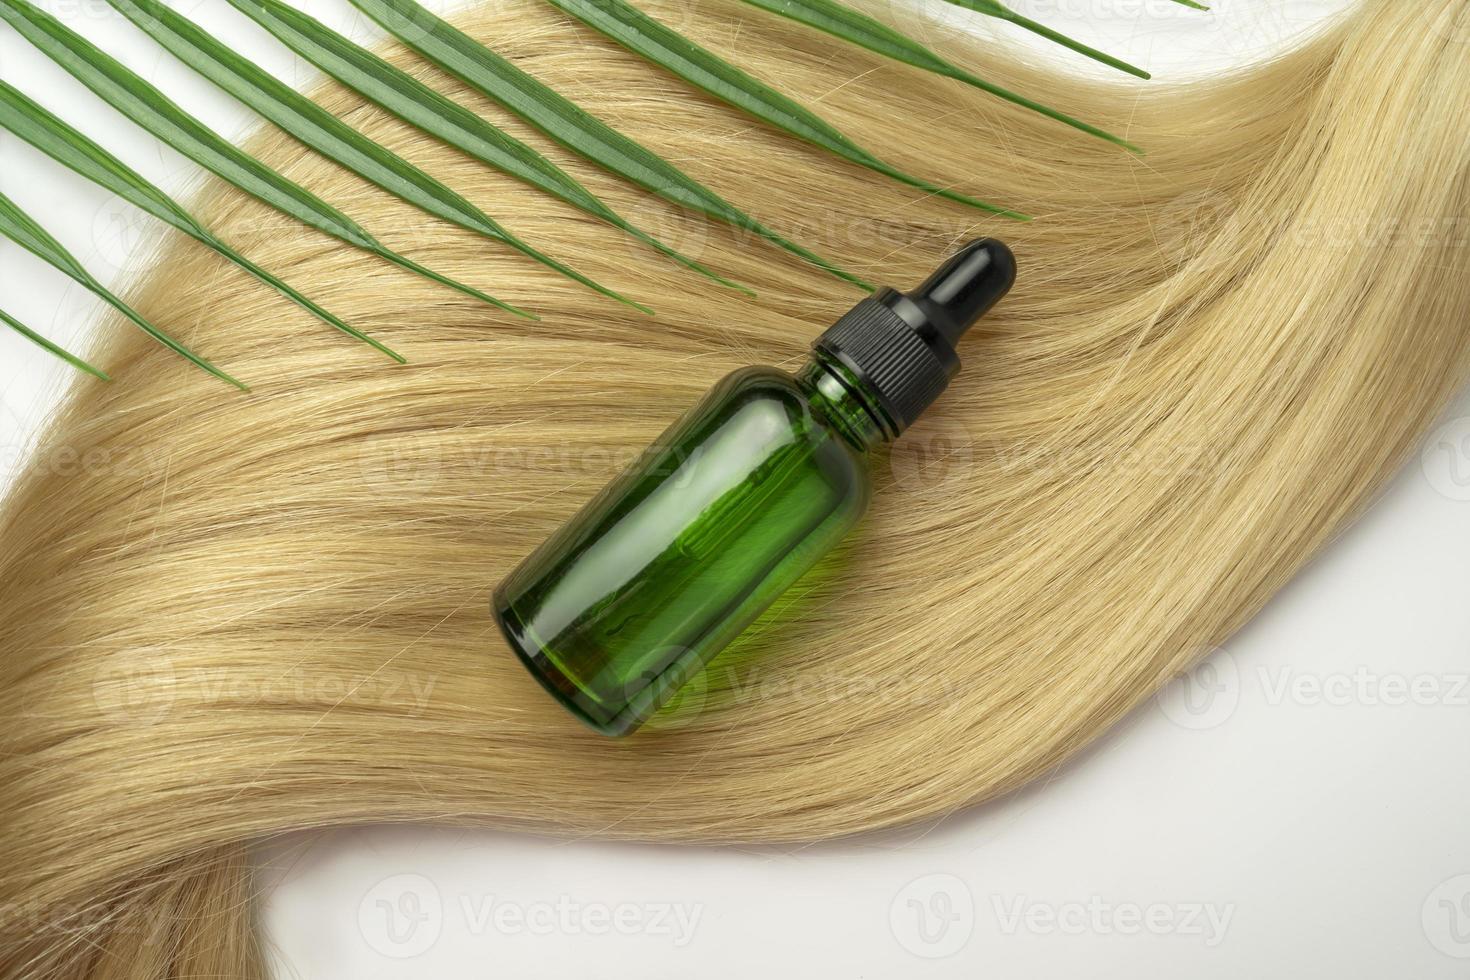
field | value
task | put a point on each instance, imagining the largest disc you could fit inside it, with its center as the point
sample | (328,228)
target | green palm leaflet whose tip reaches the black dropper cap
(565,121)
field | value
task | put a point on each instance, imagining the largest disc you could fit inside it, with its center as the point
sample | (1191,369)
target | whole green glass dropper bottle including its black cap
(734,503)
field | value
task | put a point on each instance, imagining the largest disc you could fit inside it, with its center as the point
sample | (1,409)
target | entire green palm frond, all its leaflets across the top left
(398,92)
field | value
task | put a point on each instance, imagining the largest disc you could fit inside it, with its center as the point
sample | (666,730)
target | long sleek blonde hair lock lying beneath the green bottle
(232,616)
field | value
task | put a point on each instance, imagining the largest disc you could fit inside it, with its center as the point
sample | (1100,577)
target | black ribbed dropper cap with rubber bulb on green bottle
(902,345)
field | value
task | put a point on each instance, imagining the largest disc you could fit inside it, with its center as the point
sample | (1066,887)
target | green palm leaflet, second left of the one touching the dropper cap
(326,133)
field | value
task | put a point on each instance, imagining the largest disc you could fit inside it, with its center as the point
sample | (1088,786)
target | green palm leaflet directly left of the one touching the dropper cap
(412,101)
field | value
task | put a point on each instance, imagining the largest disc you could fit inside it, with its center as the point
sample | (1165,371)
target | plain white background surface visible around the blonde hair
(1299,807)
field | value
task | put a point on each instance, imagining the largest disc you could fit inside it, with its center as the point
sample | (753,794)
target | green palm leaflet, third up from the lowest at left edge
(73,149)
